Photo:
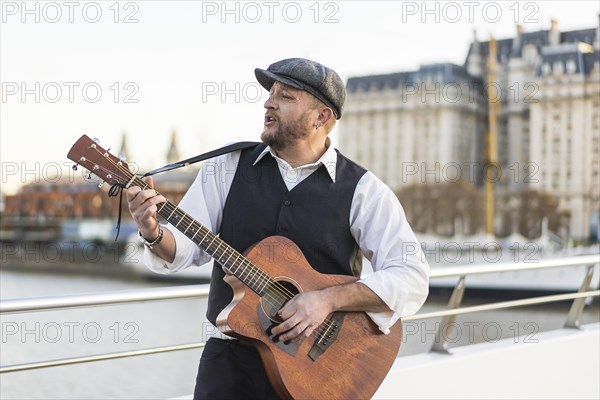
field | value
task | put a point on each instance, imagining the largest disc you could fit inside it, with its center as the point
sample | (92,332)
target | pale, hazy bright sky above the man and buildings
(147,68)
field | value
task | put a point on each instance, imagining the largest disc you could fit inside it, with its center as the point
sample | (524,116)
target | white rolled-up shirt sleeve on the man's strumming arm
(401,272)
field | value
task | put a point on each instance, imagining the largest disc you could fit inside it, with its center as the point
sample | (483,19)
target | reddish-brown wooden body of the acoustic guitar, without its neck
(351,367)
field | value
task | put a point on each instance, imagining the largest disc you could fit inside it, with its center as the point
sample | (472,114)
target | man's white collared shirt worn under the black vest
(377,223)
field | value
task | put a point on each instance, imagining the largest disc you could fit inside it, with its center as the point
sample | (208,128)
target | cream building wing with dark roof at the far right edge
(565,130)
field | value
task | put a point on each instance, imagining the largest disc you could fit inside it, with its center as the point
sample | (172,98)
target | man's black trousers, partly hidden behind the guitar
(232,369)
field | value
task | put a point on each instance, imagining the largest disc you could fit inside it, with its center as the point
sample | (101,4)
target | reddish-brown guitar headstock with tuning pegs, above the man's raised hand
(100,162)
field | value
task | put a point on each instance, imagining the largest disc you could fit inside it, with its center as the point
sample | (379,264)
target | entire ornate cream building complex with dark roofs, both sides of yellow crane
(429,125)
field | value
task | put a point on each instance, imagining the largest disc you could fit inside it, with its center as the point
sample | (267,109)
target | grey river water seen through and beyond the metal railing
(56,334)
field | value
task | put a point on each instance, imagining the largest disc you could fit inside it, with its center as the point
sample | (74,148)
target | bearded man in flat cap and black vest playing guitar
(295,185)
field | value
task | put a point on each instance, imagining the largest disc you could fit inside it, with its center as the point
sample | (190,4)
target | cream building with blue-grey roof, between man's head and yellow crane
(420,126)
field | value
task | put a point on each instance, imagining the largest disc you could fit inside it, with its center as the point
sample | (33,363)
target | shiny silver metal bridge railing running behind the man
(448,315)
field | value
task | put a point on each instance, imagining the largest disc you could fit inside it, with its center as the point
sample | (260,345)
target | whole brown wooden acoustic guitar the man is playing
(347,357)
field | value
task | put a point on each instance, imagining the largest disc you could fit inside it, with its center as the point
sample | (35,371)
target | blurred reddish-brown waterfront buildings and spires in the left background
(49,211)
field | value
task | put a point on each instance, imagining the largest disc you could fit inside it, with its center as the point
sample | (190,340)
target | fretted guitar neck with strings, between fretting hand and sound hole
(230,259)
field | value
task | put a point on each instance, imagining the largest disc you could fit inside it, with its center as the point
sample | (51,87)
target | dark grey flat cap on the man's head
(300,73)
